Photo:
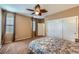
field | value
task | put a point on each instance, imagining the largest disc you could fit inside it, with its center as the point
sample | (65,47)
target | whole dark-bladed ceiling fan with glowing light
(37,10)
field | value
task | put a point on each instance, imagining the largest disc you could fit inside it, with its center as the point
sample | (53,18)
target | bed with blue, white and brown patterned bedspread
(48,45)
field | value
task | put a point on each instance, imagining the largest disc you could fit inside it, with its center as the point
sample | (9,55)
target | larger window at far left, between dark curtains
(9,23)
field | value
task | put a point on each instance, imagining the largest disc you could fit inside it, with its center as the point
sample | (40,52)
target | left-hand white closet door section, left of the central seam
(54,28)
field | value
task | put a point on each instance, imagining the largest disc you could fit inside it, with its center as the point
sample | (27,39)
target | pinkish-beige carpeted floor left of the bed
(19,47)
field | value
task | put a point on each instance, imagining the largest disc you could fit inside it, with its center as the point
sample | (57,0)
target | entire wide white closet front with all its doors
(63,28)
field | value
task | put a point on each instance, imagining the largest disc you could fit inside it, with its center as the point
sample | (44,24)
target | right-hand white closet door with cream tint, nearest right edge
(70,28)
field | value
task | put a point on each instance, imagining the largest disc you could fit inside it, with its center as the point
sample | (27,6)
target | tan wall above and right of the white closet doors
(66,13)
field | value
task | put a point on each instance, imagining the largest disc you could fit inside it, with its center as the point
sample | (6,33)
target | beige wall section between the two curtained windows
(23,27)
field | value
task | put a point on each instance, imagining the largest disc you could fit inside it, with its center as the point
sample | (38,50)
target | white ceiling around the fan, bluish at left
(52,8)
